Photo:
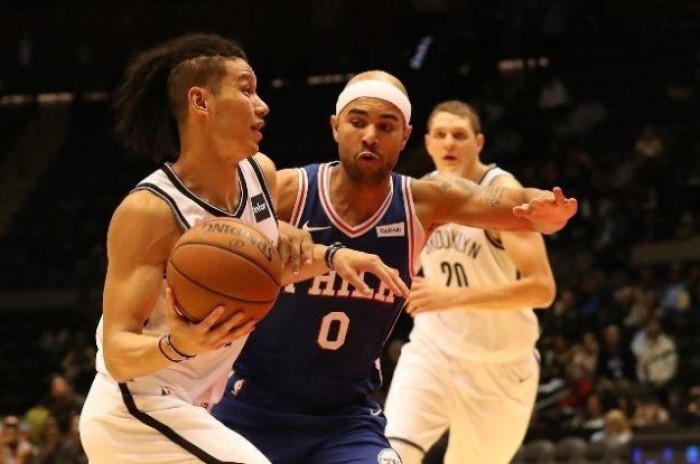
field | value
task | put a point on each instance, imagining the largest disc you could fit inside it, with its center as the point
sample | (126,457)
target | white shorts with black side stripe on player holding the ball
(118,427)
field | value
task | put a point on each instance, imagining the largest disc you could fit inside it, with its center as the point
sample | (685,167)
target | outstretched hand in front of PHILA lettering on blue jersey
(350,264)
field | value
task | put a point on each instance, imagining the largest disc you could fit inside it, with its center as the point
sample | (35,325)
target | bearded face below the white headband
(370,133)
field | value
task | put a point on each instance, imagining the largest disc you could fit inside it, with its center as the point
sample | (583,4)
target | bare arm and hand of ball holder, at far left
(141,235)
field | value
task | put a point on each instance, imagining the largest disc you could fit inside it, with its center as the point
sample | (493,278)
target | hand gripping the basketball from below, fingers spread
(211,333)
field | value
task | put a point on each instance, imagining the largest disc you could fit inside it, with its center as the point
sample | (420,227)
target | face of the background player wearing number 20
(452,143)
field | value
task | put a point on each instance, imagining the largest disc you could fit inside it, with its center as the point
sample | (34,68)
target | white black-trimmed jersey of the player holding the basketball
(200,380)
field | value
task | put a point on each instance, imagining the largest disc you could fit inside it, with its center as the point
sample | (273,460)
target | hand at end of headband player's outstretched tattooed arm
(548,213)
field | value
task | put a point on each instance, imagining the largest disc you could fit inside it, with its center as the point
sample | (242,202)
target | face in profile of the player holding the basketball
(237,114)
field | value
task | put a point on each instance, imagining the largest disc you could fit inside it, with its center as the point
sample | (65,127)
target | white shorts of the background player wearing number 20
(486,406)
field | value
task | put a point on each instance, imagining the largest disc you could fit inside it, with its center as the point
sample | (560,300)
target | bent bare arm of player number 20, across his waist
(536,287)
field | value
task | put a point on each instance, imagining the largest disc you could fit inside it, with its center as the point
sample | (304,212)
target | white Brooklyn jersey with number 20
(460,256)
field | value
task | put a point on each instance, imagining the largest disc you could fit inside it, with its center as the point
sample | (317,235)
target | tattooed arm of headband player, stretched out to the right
(441,200)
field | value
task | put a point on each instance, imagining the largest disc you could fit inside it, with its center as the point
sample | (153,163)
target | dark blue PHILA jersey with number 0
(319,347)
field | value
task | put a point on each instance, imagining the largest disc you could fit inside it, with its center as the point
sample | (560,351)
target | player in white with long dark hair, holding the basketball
(192,102)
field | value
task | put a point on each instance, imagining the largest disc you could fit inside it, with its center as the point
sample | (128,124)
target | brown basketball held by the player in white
(224,261)
